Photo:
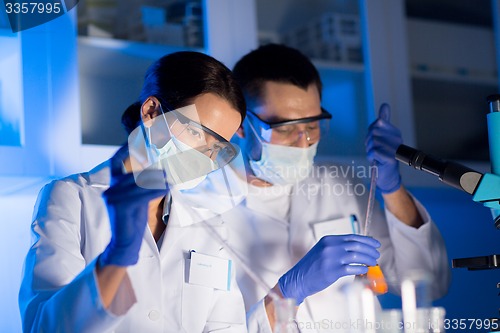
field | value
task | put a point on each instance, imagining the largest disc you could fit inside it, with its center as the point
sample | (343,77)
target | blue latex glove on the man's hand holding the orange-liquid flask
(331,258)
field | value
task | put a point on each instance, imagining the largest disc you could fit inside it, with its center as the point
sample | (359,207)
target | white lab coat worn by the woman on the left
(59,291)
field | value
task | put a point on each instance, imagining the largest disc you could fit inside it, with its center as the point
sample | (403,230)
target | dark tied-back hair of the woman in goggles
(176,79)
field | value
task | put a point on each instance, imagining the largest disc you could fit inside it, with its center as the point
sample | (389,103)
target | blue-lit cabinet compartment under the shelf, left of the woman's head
(111,74)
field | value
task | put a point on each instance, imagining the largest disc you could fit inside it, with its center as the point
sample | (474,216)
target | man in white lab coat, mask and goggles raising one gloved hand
(300,235)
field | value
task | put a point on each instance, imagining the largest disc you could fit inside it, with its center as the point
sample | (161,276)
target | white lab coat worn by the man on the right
(273,232)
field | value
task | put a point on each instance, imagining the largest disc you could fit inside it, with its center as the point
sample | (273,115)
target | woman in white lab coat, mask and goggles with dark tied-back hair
(118,248)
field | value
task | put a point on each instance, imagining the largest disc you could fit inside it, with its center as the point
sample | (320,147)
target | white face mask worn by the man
(282,165)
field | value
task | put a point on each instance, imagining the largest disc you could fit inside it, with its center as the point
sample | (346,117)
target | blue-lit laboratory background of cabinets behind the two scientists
(64,85)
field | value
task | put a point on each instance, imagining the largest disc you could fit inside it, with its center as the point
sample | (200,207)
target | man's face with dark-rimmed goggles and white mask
(285,144)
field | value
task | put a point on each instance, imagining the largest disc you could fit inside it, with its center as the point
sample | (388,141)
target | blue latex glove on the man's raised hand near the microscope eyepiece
(381,143)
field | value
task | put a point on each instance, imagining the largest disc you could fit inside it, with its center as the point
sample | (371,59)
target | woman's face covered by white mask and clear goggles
(177,143)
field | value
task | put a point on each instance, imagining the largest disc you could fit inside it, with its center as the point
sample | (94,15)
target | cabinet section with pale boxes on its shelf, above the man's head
(326,31)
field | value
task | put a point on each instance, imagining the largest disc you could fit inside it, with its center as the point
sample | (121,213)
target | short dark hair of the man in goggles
(278,63)
